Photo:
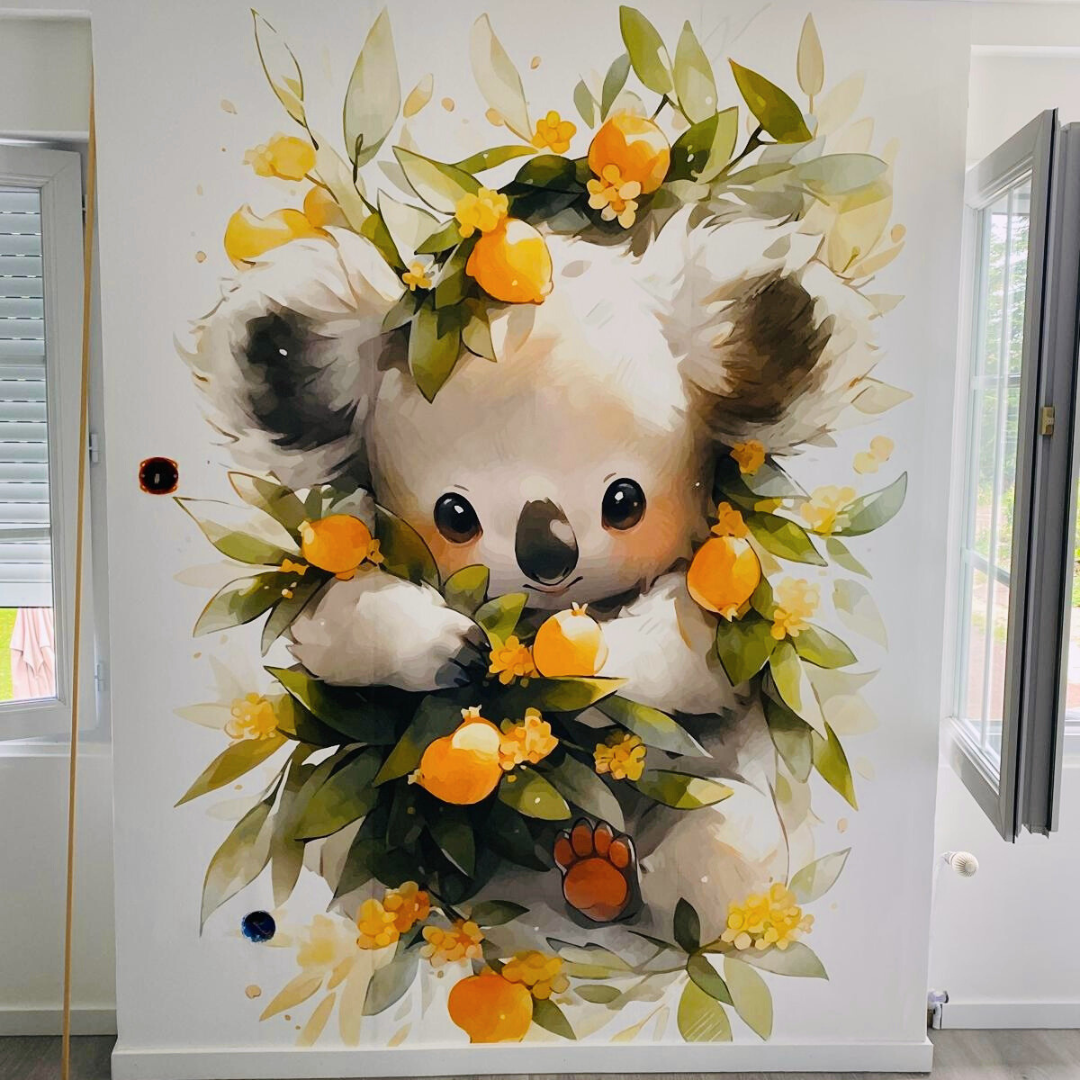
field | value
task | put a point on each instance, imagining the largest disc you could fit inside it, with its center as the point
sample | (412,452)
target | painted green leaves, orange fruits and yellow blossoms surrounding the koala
(442,789)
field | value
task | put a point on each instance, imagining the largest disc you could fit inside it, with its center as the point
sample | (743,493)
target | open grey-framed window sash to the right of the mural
(1017,497)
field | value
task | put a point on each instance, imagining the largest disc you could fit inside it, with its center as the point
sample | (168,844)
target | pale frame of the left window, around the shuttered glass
(58,175)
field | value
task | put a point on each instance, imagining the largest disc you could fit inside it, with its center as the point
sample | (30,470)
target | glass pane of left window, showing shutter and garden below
(28,647)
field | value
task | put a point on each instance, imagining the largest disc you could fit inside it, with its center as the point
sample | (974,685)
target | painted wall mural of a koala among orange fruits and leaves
(517,440)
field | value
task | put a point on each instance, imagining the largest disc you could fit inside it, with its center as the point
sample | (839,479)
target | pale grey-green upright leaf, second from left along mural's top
(374,97)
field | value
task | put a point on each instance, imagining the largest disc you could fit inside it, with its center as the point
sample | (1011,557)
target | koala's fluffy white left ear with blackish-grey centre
(289,360)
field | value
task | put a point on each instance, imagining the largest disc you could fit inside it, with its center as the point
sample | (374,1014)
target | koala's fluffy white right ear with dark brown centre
(774,342)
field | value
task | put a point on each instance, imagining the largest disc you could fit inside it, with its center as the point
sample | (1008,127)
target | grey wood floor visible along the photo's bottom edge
(960,1056)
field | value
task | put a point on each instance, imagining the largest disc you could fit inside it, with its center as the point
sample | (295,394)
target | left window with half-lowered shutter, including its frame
(40,339)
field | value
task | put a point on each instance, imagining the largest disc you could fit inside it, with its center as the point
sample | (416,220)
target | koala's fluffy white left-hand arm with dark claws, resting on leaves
(379,629)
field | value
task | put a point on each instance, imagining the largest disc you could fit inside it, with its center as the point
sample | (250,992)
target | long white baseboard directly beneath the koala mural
(288,1063)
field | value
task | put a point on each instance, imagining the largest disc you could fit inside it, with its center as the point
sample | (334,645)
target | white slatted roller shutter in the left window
(25,556)
